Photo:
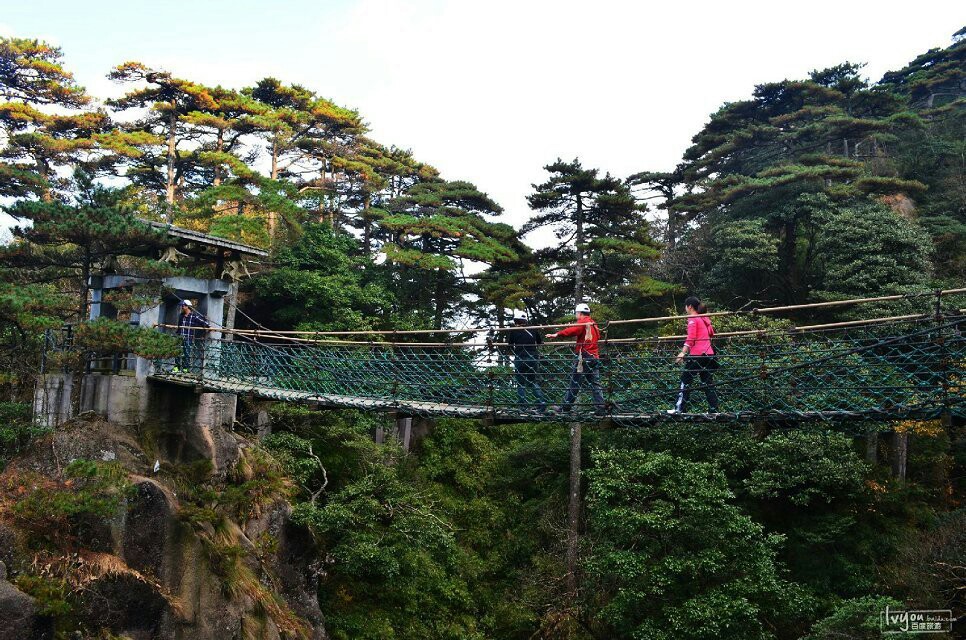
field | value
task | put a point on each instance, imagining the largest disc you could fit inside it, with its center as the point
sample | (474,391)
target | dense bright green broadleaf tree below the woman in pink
(672,557)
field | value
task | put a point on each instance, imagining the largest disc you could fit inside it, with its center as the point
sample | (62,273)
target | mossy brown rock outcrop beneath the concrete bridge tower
(170,562)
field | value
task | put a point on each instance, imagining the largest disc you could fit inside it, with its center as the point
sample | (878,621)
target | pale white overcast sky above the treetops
(491,91)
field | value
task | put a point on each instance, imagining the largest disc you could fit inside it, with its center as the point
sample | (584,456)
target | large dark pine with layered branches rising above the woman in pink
(753,168)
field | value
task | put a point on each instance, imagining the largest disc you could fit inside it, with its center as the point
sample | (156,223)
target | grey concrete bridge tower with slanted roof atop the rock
(118,387)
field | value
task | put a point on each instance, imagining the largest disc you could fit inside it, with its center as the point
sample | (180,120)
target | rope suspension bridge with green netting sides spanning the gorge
(896,367)
